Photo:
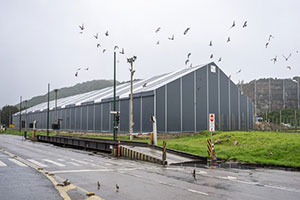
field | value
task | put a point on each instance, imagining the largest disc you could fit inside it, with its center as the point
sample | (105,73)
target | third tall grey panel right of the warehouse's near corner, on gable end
(188,102)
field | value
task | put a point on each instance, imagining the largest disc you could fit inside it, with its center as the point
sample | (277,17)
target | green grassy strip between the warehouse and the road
(278,148)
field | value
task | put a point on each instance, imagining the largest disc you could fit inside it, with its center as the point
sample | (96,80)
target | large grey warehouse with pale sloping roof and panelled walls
(181,102)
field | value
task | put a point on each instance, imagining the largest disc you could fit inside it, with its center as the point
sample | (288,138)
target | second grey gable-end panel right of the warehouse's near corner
(173,106)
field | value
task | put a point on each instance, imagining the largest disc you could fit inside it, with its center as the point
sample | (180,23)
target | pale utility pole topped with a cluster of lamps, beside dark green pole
(131,61)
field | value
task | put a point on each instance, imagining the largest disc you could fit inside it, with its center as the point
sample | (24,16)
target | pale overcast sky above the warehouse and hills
(40,40)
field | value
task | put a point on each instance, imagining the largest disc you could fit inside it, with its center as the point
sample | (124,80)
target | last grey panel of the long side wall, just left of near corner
(148,111)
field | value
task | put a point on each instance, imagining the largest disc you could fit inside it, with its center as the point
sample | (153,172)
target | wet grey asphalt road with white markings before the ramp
(140,180)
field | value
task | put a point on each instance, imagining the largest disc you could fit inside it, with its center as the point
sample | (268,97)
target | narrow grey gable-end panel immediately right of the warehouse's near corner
(160,109)
